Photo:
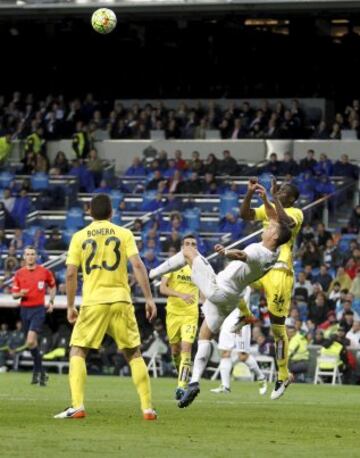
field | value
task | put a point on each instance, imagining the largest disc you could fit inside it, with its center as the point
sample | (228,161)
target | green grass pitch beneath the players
(309,421)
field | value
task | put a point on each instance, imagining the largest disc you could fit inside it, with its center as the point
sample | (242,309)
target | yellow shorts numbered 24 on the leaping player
(278,286)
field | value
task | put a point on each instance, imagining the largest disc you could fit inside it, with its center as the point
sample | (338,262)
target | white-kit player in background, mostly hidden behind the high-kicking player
(231,342)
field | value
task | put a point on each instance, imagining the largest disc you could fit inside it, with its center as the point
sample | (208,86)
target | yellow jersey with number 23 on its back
(102,250)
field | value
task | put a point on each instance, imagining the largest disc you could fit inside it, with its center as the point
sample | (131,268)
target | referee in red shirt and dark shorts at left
(29,286)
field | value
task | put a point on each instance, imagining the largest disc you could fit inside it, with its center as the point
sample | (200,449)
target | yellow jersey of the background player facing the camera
(180,281)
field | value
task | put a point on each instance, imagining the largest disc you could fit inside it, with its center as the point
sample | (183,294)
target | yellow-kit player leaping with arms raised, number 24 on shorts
(279,281)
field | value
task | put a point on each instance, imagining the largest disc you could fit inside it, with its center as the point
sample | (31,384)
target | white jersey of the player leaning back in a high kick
(237,275)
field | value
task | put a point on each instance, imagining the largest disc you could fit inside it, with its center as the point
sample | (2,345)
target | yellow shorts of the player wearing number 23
(117,320)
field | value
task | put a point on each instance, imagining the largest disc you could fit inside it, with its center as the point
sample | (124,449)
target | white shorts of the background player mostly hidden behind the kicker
(229,340)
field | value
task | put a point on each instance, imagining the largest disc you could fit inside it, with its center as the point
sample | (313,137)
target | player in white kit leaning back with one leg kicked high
(224,290)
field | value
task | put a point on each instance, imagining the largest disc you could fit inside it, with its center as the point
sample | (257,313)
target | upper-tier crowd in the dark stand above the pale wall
(54,117)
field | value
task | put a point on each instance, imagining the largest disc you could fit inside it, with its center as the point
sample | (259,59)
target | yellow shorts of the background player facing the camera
(181,328)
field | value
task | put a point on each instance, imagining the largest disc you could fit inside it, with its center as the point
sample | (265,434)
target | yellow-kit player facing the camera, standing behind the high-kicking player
(182,315)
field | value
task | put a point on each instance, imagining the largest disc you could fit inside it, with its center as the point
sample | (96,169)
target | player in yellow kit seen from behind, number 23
(102,250)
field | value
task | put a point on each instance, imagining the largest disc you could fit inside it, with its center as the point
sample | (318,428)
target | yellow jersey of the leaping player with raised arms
(286,250)
